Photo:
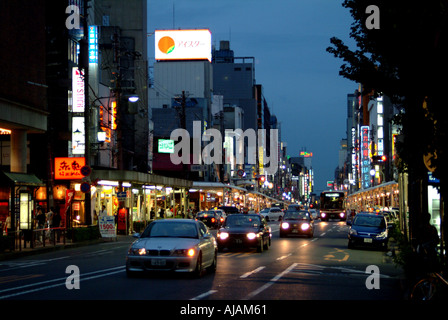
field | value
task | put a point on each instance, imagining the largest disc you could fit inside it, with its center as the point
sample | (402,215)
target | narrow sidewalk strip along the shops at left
(39,248)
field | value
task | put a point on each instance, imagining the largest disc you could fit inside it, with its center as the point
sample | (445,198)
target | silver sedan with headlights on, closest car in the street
(180,245)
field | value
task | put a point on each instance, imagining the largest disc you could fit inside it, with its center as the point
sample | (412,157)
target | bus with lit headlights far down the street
(332,205)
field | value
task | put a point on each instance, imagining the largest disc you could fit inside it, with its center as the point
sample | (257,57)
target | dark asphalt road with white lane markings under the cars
(320,268)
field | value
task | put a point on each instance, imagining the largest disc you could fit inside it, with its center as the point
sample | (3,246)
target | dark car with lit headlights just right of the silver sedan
(244,231)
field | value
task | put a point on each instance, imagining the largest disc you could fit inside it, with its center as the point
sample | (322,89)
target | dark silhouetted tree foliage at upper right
(406,58)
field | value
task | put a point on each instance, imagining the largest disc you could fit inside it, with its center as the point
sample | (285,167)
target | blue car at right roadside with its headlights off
(368,229)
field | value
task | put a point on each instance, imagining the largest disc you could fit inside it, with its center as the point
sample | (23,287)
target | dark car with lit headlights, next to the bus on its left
(297,223)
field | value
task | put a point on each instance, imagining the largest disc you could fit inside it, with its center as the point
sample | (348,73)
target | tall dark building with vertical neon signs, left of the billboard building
(118,72)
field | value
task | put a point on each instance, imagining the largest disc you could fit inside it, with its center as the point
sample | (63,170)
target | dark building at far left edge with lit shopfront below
(24,109)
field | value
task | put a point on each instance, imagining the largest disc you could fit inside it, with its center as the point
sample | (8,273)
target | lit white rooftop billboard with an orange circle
(183,44)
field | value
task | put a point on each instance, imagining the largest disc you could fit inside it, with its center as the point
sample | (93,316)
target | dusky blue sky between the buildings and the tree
(288,39)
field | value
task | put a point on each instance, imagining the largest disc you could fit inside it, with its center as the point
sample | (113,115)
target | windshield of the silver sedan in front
(171,230)
